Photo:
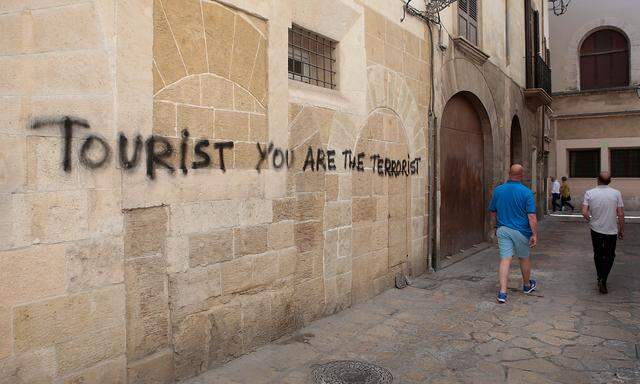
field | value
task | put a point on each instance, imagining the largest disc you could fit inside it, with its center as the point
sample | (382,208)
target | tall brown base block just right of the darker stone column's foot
(191,339)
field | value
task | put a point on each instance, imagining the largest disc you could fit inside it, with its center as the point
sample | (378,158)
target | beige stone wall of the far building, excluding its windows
(599,119)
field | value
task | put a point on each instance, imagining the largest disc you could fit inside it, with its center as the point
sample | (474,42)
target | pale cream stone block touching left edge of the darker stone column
(94,263)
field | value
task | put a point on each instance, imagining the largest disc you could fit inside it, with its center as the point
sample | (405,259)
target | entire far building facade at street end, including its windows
(595,53)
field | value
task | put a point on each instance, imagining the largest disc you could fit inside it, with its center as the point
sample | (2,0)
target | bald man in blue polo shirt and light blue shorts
(513,209)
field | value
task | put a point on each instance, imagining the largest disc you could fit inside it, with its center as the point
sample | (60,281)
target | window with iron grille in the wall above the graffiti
(311,58)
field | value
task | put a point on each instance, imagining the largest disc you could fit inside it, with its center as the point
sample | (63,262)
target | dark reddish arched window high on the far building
(604,60)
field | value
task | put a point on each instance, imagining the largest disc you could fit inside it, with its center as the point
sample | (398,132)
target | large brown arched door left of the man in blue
(464,173)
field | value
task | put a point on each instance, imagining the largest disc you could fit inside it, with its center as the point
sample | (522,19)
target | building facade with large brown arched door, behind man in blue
(490,109)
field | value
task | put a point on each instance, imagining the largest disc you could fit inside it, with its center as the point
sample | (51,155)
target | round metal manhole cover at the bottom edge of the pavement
(351,372)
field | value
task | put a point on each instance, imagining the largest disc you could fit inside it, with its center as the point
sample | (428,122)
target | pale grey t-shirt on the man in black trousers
(603,202)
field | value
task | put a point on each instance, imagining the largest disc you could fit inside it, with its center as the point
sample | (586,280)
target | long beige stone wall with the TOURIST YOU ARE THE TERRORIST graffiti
(131,263)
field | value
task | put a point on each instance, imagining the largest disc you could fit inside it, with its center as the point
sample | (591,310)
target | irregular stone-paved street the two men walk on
(447,328)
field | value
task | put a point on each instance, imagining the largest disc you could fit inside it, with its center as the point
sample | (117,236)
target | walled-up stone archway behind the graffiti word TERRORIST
(381,208)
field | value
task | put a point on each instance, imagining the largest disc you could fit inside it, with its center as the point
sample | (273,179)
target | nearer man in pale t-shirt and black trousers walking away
(603,209)
